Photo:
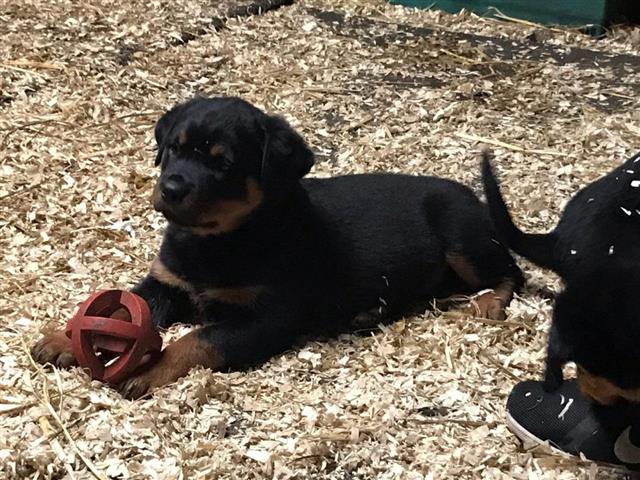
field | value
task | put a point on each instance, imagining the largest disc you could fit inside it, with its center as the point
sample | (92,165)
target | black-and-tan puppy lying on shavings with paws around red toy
(261,258)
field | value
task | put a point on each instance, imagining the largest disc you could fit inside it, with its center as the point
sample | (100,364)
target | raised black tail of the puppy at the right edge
(539,248)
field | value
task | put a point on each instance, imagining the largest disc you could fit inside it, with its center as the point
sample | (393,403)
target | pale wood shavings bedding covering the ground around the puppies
(372,87)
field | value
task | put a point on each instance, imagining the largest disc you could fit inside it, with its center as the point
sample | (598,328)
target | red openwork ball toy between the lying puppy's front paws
(112,348)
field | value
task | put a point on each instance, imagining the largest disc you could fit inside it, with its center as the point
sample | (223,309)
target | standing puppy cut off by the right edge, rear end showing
(595,248)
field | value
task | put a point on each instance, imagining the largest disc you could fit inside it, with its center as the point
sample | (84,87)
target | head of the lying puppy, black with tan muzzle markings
(221,159)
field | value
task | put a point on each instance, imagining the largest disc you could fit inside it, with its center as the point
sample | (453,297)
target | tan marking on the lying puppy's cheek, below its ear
(229,214)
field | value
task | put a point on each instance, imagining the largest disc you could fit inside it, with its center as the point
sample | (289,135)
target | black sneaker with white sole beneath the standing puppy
(571,423)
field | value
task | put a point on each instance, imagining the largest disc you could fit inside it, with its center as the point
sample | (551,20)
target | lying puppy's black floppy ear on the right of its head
(286,154)
